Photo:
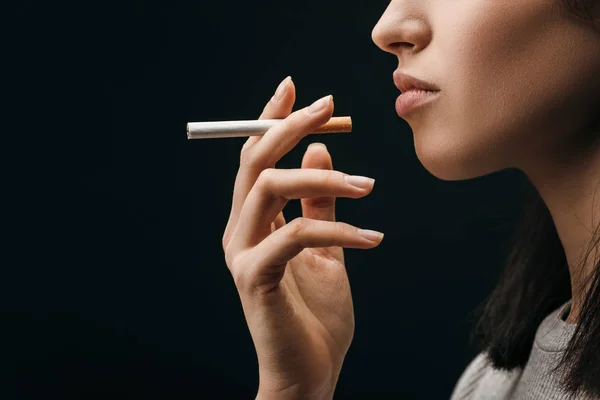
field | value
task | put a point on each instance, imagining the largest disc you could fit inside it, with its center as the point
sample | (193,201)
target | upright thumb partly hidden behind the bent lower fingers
(321,208)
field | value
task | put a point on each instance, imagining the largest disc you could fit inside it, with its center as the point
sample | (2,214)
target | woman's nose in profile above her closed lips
(403,28)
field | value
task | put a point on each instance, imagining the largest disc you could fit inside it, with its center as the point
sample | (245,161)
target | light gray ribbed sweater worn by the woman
(480,381)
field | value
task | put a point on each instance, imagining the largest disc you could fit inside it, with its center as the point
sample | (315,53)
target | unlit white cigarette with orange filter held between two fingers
(227,129)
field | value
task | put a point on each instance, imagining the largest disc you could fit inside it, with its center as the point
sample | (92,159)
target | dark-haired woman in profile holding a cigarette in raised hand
(507,84)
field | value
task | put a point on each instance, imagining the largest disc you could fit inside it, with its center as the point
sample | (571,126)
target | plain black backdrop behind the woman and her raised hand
(116,285)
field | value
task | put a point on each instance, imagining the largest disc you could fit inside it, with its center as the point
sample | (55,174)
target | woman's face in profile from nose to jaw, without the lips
(517,79)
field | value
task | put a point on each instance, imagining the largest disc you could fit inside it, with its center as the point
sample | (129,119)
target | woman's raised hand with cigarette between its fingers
(291,277)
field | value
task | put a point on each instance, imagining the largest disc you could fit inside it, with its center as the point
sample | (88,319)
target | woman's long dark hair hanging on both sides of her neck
(535,282)
